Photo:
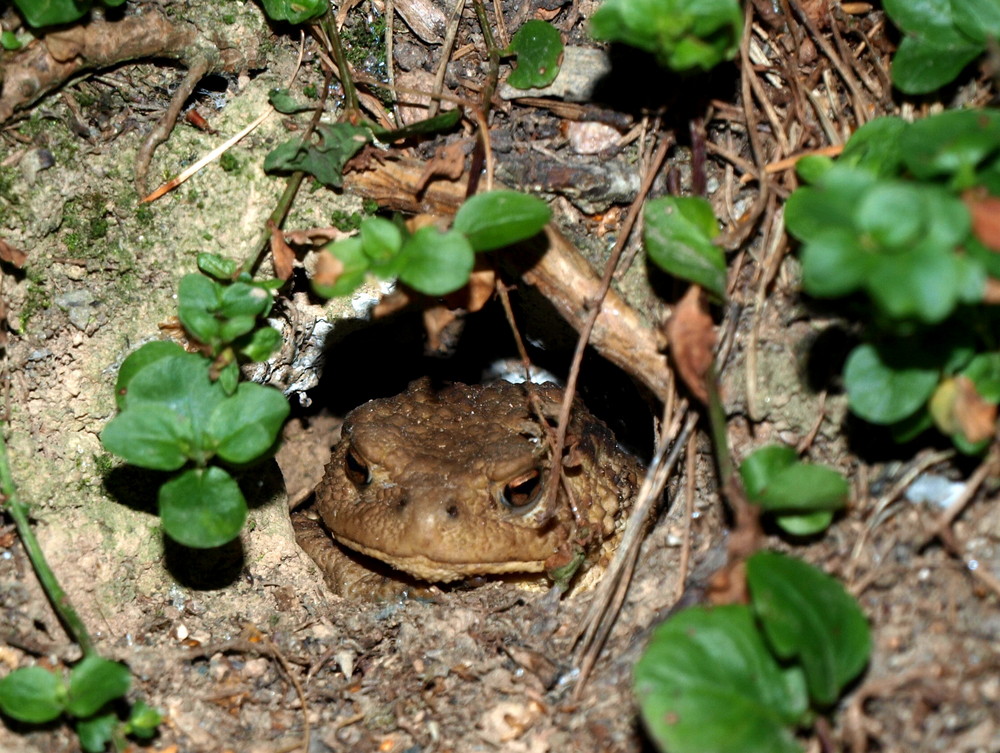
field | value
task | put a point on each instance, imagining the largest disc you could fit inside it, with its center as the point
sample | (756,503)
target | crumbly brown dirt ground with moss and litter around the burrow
(244,648)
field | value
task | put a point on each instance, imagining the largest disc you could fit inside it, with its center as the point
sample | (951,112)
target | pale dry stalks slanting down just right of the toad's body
(600,618)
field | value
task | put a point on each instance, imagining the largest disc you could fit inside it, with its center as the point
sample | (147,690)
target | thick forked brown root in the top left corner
(50,62)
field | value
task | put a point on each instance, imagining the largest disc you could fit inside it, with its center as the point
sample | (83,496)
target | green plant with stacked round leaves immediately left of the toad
(184,412)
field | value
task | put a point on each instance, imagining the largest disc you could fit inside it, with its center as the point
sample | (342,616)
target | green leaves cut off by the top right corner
(941,37)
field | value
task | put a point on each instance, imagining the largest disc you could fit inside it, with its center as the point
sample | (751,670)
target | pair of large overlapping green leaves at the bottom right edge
(744,677)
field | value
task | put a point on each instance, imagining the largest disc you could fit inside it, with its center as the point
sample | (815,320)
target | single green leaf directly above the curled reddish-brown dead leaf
(678,236)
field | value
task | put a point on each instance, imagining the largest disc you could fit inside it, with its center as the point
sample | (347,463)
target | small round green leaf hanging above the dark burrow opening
(436,263)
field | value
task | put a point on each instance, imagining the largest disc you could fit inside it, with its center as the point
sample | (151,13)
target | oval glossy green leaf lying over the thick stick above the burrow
(496,219)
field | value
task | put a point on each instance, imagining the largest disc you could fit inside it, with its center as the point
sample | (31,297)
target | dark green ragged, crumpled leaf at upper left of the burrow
(324,160)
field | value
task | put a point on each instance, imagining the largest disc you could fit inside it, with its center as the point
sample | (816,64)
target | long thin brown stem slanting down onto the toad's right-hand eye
(595,310)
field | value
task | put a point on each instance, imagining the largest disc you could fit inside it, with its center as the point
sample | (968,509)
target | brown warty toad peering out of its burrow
(444,484)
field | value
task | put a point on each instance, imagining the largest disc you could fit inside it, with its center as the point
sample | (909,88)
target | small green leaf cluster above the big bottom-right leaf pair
(801,496)
